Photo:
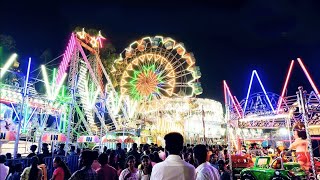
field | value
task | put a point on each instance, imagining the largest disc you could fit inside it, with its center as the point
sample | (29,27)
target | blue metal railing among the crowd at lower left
(71,162)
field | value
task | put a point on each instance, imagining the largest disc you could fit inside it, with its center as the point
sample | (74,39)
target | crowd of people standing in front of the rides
(143,162)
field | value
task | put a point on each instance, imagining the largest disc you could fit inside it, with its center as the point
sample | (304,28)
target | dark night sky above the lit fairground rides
(228,38)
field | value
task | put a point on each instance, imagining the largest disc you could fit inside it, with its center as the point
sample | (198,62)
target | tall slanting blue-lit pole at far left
(25,95)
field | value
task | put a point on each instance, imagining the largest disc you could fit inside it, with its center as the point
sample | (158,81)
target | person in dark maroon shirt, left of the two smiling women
(106,172)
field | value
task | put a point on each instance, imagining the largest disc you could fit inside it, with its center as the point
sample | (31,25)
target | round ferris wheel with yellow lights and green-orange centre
(157,67)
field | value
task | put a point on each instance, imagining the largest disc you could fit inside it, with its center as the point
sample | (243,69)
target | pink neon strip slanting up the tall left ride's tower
(66,59)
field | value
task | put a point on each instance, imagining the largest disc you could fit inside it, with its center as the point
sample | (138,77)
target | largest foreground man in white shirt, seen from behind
(173,167)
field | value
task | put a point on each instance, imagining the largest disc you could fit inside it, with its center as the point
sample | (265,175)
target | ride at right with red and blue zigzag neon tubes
(266,116)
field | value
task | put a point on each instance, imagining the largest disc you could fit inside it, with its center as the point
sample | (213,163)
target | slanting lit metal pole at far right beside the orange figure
(305,120)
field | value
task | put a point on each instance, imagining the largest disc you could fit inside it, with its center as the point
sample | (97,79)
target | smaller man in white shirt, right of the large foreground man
(204,171)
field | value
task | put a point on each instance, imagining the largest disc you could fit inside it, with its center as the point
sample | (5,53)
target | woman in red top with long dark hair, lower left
(61,172)
